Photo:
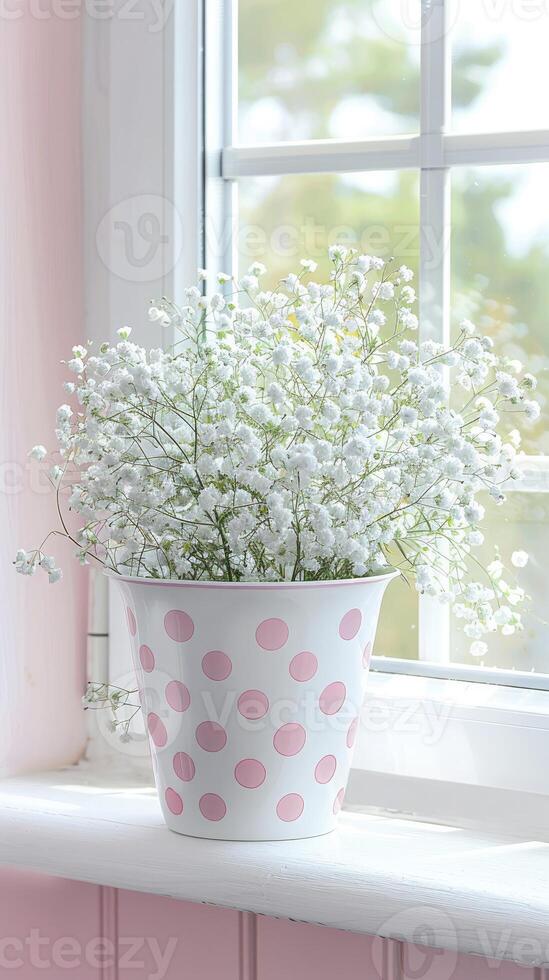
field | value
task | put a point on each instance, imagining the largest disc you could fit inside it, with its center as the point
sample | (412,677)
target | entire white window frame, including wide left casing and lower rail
(496,737)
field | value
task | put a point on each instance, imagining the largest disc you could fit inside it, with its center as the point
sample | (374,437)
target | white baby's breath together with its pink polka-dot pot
(253,487)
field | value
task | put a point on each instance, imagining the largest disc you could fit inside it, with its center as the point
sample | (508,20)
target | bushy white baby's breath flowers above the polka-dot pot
(295,434)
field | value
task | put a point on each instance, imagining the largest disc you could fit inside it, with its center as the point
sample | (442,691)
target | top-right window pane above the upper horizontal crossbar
(500,69)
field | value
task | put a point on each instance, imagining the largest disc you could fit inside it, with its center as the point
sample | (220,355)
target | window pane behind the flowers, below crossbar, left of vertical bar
(283,219)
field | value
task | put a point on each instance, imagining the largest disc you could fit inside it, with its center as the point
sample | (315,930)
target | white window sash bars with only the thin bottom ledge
(432,152)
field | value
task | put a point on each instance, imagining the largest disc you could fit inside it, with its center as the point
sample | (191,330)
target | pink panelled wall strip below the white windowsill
(167,940)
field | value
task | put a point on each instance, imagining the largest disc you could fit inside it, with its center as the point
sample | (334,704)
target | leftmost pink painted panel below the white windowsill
(48,927)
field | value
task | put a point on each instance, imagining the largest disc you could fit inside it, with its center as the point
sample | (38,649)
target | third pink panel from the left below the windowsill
(296,951)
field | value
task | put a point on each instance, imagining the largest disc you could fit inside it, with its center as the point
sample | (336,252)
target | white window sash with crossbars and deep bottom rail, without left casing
(496,733)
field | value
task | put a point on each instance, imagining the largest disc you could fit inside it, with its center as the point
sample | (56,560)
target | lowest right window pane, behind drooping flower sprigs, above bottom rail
(522,526)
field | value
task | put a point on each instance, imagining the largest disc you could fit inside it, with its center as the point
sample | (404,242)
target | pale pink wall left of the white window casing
(42,627)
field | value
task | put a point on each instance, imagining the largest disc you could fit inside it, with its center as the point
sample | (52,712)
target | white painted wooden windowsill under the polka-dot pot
(88,825)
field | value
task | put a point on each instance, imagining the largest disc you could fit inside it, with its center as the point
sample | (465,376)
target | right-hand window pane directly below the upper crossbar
(500,263)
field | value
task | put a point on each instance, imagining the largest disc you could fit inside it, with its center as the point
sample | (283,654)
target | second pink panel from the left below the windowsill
(172,940)
